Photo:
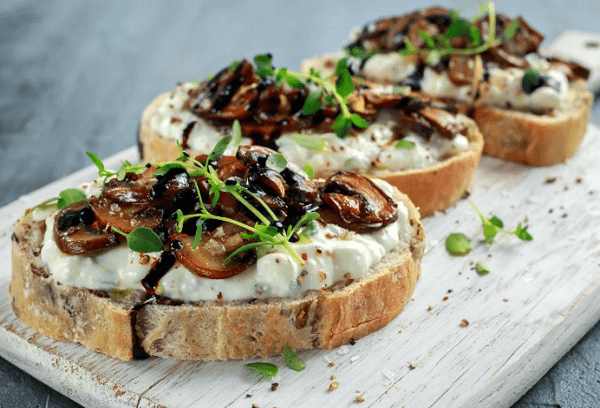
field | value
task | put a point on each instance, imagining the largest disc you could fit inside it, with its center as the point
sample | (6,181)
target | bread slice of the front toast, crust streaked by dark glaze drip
(136,326)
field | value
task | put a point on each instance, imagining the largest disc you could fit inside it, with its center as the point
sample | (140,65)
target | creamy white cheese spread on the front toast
(333,255)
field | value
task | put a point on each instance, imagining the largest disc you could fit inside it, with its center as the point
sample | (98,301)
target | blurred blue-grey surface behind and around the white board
(76,75)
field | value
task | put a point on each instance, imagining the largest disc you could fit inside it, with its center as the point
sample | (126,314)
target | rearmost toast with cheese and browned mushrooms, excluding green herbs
(537,136)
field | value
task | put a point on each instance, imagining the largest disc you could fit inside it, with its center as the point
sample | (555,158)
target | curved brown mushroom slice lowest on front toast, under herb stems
(207,259)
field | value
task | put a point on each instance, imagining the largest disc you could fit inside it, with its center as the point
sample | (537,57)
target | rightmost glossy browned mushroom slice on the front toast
(360,204)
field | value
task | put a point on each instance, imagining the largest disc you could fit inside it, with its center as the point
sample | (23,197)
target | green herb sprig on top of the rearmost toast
(439,46)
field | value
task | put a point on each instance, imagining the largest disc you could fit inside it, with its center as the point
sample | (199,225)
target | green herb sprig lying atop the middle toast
(324,90)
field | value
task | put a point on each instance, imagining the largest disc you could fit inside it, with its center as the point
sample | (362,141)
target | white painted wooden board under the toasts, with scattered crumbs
(538,300)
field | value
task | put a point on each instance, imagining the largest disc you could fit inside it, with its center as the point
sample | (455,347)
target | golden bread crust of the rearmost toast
(537,140)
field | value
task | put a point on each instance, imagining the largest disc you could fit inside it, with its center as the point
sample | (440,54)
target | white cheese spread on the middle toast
(371,150)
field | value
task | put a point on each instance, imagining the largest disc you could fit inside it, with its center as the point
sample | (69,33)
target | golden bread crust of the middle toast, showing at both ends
(433,188)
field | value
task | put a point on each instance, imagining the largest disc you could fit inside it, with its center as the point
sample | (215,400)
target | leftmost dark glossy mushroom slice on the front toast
(76,231)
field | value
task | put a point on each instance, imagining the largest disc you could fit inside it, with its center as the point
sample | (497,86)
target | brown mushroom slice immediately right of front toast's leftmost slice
(125,217)
